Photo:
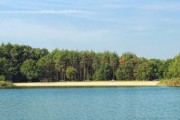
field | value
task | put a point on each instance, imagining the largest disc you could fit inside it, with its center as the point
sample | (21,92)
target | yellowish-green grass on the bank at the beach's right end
(170,82)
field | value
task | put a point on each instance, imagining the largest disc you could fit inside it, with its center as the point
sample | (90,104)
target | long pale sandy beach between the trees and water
(88,84)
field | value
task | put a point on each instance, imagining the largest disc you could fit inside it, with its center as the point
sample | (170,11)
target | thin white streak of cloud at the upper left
(69,11)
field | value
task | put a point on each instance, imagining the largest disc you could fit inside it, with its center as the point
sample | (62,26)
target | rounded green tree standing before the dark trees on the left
(29,69)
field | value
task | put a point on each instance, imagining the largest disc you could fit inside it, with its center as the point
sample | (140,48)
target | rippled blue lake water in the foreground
(119,103)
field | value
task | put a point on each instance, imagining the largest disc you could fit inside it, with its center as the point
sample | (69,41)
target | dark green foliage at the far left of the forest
(12,57)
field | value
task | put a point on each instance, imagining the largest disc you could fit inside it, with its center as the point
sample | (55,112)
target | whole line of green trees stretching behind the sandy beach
(22,63)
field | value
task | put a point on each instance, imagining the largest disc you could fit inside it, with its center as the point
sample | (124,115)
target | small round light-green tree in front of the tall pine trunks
(71,73)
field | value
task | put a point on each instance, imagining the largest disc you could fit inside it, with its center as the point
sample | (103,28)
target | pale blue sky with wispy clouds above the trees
(148,28)
